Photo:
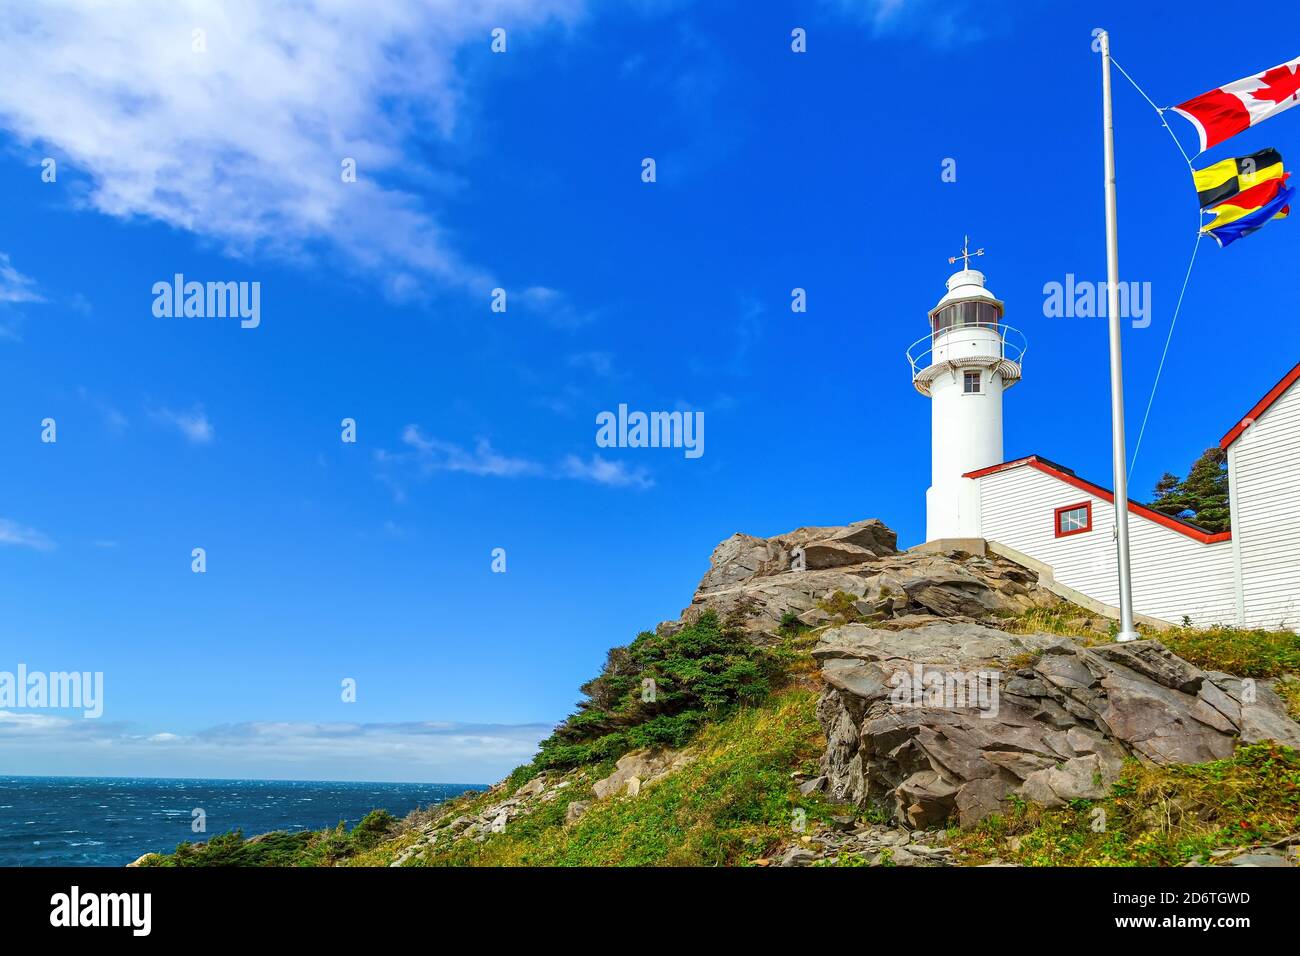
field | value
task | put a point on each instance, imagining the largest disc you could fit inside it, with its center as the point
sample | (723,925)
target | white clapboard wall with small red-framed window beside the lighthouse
(1175,576)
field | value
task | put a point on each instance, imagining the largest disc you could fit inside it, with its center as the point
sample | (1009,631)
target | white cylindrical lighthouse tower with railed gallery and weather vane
(965,364)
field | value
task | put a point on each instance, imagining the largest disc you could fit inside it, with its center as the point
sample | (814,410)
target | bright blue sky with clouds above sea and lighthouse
(476,430)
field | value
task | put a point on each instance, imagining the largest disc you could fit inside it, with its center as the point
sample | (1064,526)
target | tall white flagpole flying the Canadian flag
(1117,375)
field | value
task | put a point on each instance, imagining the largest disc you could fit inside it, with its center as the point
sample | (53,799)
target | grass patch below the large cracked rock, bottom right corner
(1155,817)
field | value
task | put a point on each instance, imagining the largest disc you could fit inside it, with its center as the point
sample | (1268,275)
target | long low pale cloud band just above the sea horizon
(421,750)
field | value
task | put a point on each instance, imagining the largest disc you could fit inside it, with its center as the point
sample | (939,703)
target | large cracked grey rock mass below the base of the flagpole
(946,721)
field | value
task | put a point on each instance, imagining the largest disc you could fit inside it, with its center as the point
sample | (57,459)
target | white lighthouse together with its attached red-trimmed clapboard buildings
(1045,516)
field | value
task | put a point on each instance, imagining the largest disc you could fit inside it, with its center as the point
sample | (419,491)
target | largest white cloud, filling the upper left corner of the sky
(244,144)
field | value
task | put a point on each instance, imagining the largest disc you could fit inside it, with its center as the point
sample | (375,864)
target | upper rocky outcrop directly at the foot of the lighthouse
(765,579)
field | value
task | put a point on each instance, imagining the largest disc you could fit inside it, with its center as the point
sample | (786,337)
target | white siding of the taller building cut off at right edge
(1267,522)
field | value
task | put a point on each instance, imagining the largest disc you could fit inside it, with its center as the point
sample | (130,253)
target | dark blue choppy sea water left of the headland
(110,821)
